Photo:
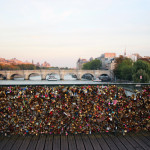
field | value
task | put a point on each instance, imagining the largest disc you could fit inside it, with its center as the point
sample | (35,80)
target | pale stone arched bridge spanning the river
(9,75)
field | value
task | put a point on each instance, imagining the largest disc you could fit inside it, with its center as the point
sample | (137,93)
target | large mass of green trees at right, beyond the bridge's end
(126,69)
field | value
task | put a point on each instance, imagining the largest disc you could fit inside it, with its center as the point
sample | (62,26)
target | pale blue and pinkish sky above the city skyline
(62,31)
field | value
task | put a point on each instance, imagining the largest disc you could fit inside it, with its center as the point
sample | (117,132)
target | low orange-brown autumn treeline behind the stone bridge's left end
(19,67)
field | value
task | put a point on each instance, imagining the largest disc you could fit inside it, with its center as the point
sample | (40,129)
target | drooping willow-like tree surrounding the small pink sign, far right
(145,76)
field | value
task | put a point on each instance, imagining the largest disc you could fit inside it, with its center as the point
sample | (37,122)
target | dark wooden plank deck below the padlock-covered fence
(104,141)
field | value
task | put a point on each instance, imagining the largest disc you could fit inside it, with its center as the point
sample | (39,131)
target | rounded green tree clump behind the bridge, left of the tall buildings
(92,65)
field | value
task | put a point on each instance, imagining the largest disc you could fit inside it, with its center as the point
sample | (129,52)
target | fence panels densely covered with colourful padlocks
(73,109)
